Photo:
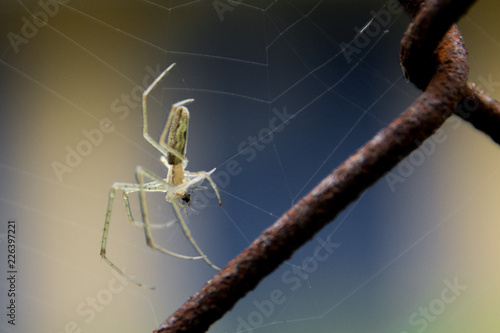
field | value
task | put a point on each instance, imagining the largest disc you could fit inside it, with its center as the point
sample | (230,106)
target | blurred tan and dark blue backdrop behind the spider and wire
(284,92)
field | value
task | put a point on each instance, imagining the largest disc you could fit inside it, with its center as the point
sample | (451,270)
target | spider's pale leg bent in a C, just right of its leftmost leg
(140,174)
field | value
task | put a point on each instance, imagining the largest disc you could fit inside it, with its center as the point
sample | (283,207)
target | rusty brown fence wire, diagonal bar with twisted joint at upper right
(445,84)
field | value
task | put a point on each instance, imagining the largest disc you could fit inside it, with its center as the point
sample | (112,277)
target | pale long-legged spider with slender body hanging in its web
(176,186)
